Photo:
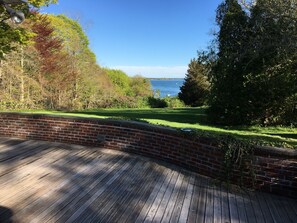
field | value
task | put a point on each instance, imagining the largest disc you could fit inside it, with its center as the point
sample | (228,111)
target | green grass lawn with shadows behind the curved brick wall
(194,118)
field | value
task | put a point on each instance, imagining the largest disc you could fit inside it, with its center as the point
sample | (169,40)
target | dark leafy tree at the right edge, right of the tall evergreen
(272,73)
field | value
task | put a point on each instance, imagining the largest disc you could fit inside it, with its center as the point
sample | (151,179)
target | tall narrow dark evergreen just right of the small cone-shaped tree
(228,93)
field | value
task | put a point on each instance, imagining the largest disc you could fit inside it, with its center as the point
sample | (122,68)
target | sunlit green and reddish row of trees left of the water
(50,66)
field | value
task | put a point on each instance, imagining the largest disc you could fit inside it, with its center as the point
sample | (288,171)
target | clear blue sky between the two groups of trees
(154,38)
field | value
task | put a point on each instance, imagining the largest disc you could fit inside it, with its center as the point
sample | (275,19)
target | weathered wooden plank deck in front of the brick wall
(52,182)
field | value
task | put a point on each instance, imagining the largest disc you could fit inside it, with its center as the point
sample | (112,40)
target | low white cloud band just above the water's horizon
(154,71)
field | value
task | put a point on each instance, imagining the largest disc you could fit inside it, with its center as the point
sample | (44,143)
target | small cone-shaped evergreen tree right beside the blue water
(194,91)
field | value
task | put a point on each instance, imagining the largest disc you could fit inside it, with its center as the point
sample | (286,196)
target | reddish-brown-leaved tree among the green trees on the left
(54,76)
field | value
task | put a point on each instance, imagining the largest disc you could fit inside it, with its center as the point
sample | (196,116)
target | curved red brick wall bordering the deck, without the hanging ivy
(275,169)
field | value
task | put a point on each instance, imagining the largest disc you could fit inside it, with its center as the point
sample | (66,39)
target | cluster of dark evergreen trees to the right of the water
(249,73)
